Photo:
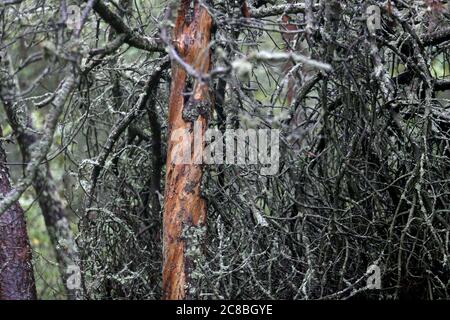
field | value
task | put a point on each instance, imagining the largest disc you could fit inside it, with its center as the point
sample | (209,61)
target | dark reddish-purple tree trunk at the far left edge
(16,268)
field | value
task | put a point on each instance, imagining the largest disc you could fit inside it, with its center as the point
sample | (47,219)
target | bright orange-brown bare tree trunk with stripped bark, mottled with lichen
(184,208)
